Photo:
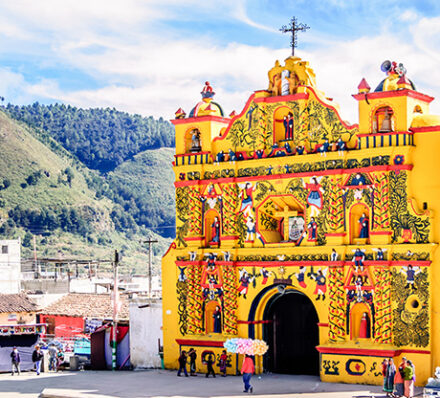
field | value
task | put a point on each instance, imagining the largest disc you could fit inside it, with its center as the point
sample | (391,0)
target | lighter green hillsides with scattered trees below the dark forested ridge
(47,192)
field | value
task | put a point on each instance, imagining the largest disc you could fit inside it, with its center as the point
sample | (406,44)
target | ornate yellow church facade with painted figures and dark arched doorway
(317,236)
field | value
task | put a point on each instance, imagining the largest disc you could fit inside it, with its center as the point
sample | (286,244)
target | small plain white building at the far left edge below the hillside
(10,266)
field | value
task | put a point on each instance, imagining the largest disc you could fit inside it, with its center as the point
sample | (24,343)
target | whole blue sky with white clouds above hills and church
(152,57)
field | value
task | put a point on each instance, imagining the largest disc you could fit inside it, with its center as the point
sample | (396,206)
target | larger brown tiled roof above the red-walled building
(87,305)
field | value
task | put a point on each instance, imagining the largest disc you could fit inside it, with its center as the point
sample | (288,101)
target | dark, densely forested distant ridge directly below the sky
(100,138)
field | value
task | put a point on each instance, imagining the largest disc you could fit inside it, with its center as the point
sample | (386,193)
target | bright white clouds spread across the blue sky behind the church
(148,72)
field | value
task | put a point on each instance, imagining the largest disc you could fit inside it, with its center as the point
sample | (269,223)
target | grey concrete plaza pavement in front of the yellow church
(163,383)
